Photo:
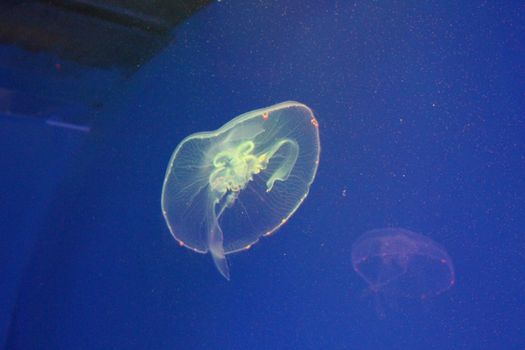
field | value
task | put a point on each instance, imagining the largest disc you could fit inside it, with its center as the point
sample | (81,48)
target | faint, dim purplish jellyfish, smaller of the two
(398,263)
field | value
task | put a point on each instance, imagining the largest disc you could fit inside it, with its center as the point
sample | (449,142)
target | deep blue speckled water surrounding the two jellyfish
(421,111)
